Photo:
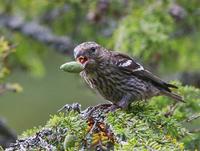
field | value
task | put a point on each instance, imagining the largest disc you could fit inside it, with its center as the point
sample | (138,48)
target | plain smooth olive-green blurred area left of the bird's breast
(44,96)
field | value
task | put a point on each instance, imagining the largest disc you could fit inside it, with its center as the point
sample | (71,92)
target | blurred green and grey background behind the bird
(164,35)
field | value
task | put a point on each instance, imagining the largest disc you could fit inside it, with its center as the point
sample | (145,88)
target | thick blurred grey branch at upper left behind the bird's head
(33,29)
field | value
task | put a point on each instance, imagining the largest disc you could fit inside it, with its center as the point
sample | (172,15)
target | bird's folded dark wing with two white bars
(128,64)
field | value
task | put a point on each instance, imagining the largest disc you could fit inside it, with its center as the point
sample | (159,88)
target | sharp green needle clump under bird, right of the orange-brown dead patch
(145,129)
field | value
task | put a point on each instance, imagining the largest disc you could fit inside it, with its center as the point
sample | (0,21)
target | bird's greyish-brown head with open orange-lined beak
(88,54)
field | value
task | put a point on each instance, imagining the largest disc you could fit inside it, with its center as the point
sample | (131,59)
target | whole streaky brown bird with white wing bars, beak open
(118,77)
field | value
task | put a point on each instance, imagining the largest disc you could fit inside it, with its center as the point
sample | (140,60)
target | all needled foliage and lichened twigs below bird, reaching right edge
(144,126)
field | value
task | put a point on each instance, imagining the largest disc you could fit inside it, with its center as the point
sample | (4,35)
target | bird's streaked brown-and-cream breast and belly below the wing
(113,83)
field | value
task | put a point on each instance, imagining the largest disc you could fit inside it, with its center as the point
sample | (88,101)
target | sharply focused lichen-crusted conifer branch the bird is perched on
(94,129)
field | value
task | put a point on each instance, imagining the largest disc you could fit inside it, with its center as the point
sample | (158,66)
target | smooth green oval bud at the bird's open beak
(73,67)
